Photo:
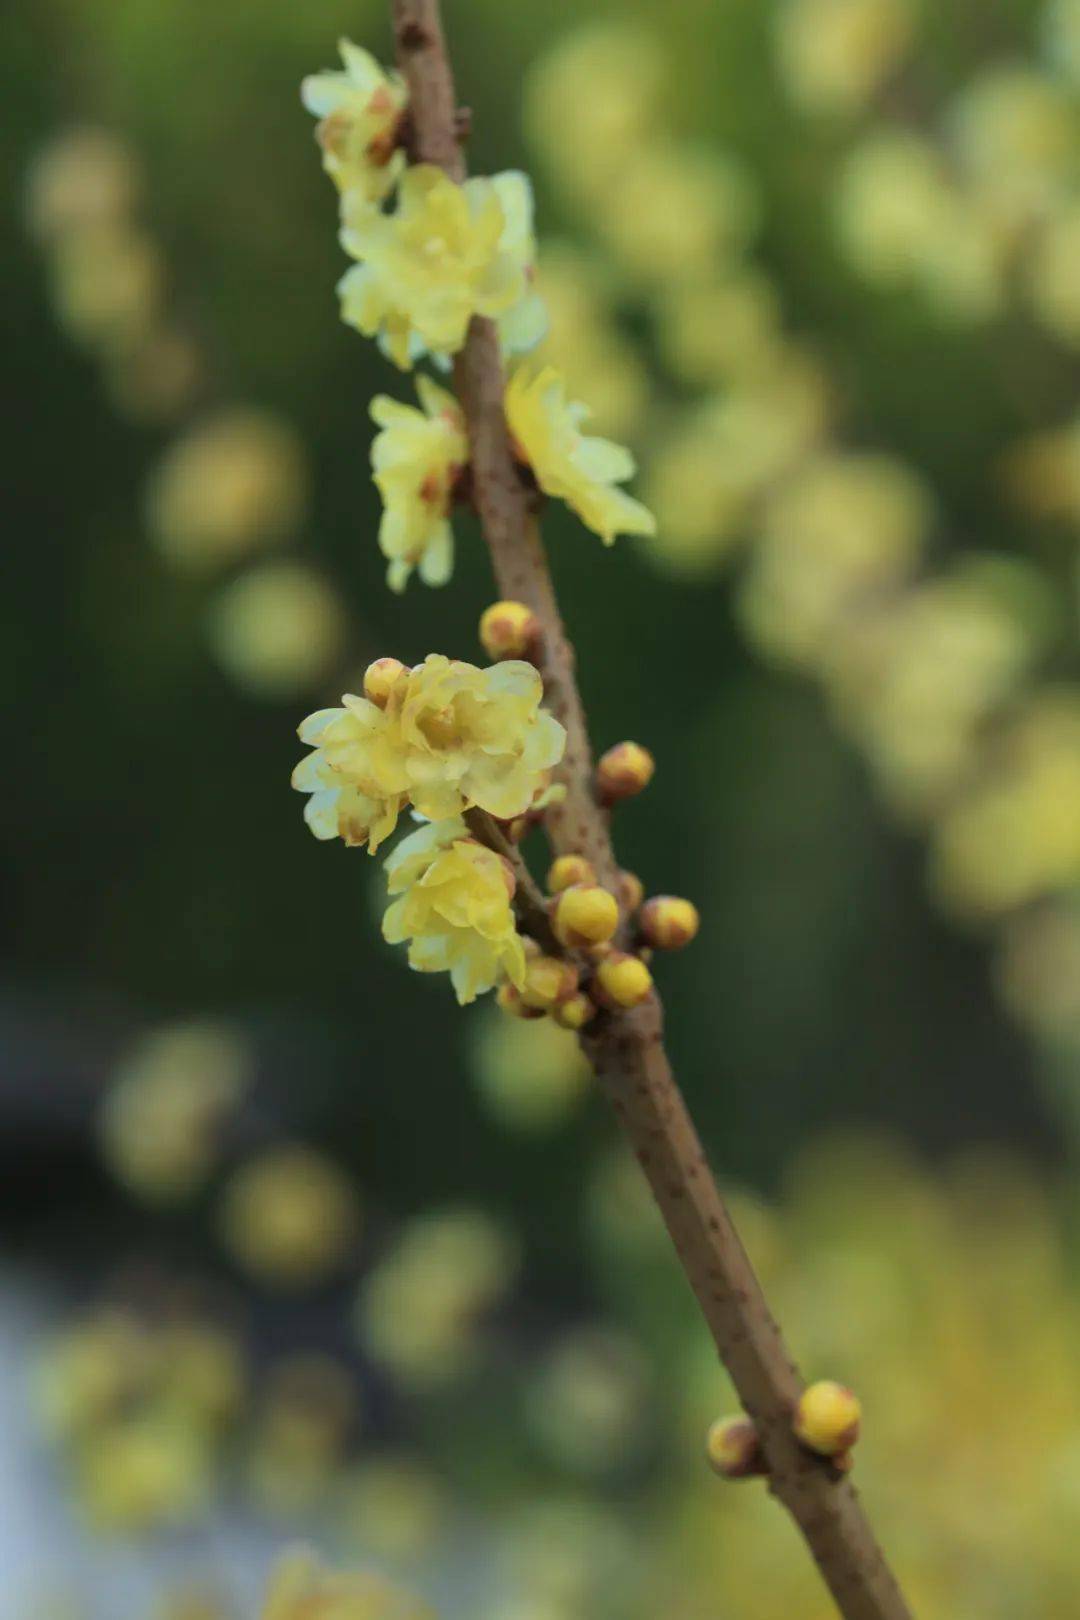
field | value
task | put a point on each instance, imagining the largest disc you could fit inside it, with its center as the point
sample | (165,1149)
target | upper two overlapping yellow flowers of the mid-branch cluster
(451,736)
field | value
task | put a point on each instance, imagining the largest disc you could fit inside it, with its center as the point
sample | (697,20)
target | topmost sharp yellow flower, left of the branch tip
(360,114)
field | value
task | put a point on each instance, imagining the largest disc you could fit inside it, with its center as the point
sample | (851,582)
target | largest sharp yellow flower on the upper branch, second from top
(446,255)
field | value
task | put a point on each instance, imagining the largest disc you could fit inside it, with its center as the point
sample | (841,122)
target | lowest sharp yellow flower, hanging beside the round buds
(454,910)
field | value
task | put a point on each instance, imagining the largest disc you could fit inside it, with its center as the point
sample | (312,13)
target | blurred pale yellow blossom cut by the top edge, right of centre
(836,54)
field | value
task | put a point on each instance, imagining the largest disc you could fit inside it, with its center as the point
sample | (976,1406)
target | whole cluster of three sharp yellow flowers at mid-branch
(443,738)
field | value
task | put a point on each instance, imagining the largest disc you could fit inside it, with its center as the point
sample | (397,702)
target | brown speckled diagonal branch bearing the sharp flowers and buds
(627,1049)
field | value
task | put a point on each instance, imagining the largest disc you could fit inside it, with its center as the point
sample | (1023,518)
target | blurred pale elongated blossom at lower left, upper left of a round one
(163,1117)
